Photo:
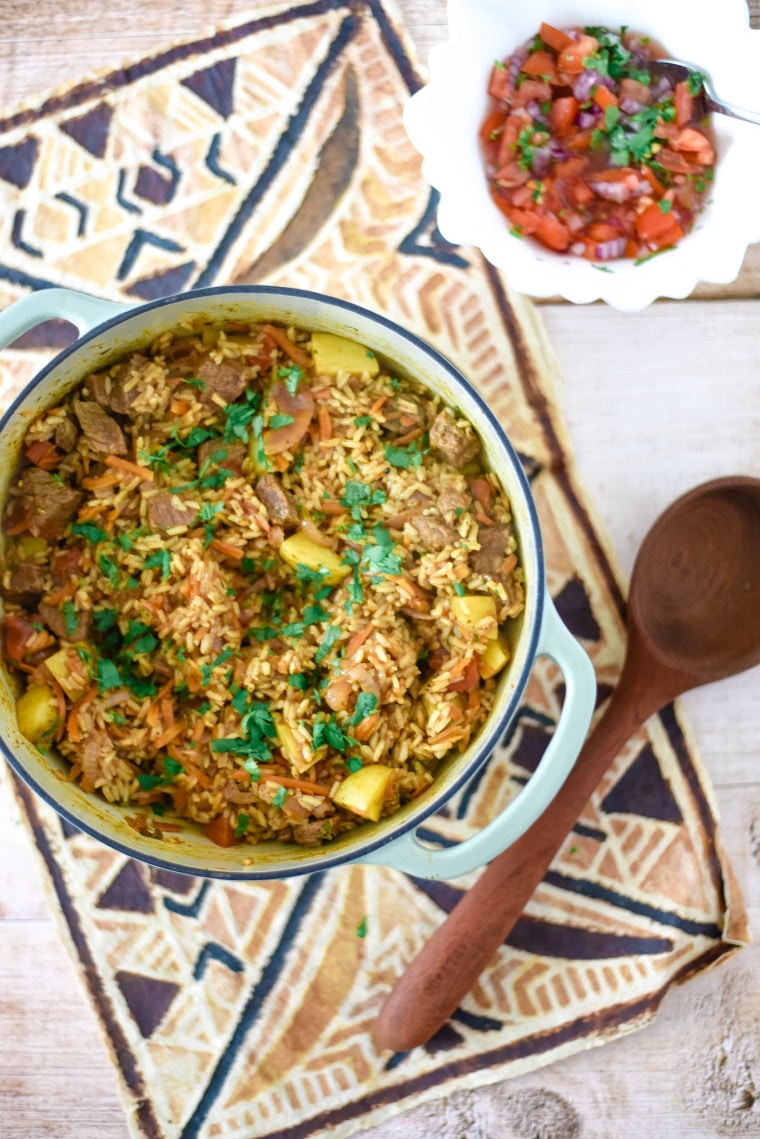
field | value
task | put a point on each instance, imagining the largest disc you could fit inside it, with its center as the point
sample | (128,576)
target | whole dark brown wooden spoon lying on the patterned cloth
(693,618)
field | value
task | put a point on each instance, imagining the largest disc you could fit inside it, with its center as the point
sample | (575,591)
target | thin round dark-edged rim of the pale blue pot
(492,732)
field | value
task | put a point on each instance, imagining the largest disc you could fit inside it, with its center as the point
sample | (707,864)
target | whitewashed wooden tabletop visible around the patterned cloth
(676,400)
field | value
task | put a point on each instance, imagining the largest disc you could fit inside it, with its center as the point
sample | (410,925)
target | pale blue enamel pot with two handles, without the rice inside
(110,330)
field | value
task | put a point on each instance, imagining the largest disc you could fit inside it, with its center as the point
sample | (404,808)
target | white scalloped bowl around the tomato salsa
(443,121)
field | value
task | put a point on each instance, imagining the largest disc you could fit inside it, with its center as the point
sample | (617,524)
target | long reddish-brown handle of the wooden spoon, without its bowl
(447,969)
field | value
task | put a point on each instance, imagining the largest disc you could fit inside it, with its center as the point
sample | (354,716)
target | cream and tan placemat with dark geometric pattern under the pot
(274,151)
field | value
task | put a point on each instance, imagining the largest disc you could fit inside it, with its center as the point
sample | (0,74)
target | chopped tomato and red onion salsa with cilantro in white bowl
(590,152)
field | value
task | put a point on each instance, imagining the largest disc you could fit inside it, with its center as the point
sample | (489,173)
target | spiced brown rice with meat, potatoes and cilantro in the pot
(243,572)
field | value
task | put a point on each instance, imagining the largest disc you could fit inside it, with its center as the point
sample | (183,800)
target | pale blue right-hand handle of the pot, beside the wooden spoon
(411,856)
